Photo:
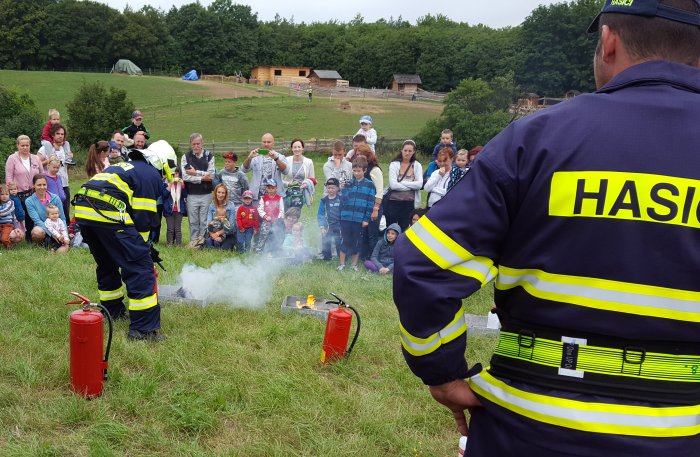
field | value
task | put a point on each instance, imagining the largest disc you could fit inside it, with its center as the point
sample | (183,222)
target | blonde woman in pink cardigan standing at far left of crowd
(20,168)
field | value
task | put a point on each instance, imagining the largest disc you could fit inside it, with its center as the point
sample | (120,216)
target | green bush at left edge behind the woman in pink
(18,116)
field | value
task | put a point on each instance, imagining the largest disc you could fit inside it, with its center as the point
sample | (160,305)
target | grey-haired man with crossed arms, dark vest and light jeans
(198,173)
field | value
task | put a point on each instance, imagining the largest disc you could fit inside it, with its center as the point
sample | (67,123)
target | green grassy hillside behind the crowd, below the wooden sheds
(174,108)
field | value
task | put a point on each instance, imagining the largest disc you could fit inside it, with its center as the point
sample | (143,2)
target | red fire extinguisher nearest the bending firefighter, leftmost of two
(88,369)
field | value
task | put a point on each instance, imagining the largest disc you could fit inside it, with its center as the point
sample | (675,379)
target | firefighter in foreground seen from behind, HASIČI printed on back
(587,216)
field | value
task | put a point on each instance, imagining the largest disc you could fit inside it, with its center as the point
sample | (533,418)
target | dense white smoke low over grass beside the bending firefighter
(233,283)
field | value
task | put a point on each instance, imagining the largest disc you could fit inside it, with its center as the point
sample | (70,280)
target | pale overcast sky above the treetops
(495,13)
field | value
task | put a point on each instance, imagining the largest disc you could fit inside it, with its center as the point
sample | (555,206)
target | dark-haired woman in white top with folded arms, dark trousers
(405,181)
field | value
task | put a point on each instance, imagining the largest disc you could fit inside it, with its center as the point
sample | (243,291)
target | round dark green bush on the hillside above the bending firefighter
(95,113)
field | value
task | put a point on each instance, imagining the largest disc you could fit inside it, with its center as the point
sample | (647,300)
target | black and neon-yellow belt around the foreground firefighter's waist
(598,365)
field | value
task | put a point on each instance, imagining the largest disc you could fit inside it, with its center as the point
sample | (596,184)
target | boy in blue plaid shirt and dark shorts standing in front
(356,204)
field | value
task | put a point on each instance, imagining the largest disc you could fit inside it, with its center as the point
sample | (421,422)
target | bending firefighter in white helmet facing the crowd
(116,210)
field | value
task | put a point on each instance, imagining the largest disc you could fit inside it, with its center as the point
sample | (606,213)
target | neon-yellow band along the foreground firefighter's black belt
(602,360)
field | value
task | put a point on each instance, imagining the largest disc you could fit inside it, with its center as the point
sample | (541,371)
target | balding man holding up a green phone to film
(263,164)
